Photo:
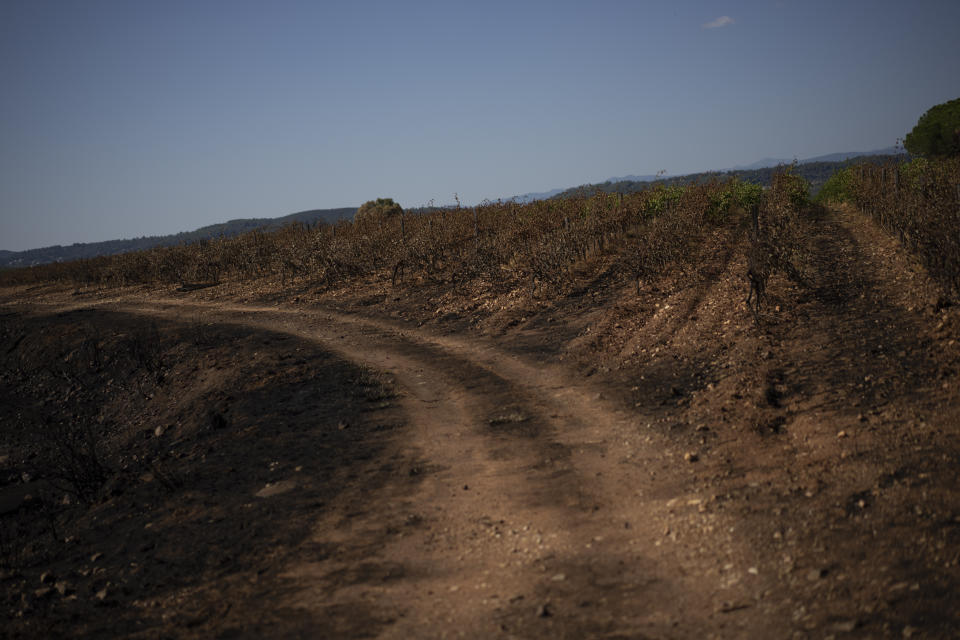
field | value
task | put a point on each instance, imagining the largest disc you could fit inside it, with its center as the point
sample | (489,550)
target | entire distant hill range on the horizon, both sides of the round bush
(816,170)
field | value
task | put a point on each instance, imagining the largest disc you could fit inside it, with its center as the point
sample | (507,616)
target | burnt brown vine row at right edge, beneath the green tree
(918,202)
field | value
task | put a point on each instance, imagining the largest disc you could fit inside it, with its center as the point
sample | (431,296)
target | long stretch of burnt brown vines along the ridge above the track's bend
(536,247)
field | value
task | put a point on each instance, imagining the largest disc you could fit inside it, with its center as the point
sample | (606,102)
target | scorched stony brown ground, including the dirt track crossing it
(433,462)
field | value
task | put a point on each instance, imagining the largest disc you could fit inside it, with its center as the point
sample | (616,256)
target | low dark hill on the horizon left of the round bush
(59,253)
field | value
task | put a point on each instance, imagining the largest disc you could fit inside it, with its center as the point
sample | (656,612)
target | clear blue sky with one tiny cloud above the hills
(128,118)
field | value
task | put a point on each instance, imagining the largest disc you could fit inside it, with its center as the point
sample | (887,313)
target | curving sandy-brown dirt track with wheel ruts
(545,510)
